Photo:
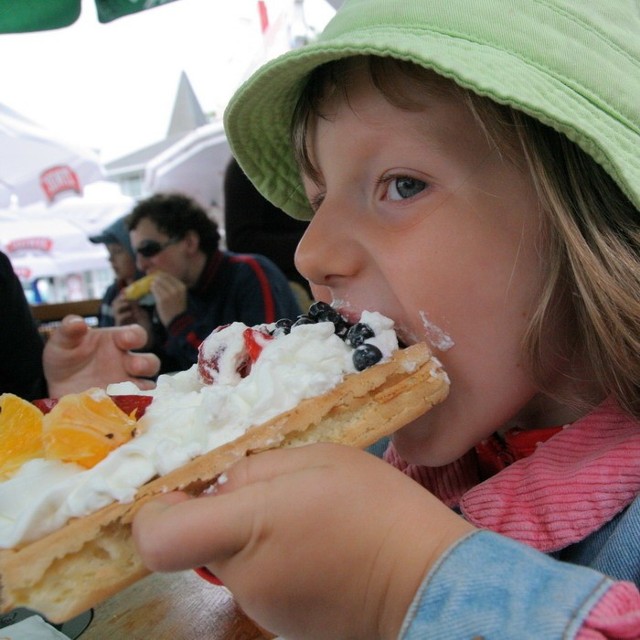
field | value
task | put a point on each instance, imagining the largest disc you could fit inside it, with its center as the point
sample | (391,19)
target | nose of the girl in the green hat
(327,252)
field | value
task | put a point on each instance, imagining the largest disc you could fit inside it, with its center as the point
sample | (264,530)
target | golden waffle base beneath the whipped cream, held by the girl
(93,557)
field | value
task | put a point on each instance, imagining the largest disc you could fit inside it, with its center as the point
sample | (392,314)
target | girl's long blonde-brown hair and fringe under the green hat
(590,235)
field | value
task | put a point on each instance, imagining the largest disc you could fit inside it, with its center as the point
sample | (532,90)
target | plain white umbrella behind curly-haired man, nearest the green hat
(195,166)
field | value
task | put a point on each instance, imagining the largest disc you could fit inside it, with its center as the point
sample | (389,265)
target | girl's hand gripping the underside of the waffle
(316,542)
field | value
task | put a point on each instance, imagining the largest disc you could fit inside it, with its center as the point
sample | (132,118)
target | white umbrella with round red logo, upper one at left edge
(35,166)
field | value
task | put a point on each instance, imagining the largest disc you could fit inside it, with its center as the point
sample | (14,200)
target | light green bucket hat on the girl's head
(572,64)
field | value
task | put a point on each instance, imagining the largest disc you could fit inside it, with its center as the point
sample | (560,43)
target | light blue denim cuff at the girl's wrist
(488,586)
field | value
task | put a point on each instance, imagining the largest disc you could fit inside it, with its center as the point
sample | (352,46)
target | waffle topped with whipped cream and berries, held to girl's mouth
(65,529)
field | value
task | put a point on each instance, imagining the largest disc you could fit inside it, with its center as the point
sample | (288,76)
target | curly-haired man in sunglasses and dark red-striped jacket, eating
(197,286)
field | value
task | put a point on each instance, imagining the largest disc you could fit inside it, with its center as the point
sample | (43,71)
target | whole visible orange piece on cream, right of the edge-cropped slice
(85,427)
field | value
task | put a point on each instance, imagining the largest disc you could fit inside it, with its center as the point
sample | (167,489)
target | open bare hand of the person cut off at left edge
(77,357)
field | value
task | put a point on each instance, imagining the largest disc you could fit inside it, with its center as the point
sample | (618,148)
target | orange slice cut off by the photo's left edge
(20,433)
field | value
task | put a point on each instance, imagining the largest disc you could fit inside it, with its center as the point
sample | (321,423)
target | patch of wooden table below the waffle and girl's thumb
(173,606)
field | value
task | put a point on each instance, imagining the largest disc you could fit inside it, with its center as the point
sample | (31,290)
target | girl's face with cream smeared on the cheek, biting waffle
(419,217)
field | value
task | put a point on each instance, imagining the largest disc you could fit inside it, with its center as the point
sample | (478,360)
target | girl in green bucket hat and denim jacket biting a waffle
(470,174)
